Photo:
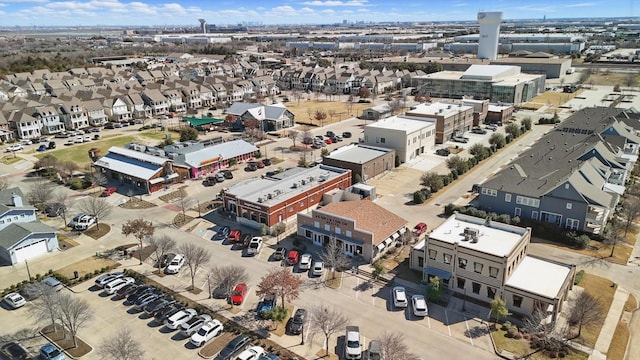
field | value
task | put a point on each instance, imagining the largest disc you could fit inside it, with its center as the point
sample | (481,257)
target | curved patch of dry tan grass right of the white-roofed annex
(601,289)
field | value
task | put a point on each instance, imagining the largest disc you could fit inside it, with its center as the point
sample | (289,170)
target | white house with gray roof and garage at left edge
(22,236)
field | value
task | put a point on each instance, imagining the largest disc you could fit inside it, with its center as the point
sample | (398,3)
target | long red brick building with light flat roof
(278,198)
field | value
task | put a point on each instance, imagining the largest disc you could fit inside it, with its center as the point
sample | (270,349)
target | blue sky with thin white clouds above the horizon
(230,12)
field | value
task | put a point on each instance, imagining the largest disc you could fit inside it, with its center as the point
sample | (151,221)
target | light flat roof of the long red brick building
(276,189)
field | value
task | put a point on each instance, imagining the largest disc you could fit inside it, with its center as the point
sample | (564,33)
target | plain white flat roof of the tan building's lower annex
(539,277)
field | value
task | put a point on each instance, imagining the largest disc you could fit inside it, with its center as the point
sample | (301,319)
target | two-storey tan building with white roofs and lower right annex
(482,259)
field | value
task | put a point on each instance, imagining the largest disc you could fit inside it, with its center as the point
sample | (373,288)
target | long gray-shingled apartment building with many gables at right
(572,177)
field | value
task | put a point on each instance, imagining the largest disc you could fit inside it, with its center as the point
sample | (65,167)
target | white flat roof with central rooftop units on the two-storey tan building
(495,238)
